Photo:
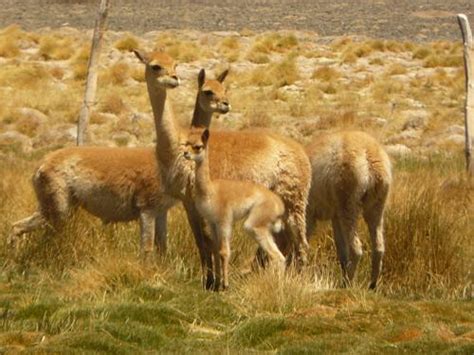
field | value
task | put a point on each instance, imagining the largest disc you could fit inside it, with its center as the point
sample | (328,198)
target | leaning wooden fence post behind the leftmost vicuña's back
(91,82)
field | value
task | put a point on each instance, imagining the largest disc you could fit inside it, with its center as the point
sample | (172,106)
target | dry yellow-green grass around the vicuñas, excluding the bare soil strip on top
(70,285)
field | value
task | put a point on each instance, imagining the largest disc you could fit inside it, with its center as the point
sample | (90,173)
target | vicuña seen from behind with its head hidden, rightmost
(351,173)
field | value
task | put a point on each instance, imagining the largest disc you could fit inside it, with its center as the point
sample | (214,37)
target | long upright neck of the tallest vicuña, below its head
(167,136)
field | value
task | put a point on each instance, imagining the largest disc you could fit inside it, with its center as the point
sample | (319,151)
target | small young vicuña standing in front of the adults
(222,202)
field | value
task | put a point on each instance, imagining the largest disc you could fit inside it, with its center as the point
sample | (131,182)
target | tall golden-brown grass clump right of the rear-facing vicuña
(428,234)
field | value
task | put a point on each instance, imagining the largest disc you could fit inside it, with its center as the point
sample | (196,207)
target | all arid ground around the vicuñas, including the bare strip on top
(300,70)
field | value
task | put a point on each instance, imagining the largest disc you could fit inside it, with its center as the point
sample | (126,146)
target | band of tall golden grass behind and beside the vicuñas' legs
(429,229)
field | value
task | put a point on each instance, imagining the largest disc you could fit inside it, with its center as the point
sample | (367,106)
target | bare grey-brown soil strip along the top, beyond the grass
(417,20)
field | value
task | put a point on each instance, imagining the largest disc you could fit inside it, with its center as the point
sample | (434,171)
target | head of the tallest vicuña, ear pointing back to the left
(160,69)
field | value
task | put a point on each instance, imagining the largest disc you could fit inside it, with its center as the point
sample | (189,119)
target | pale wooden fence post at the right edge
(469,105)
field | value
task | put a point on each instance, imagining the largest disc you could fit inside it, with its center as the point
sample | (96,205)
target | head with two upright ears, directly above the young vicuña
(212,95)
